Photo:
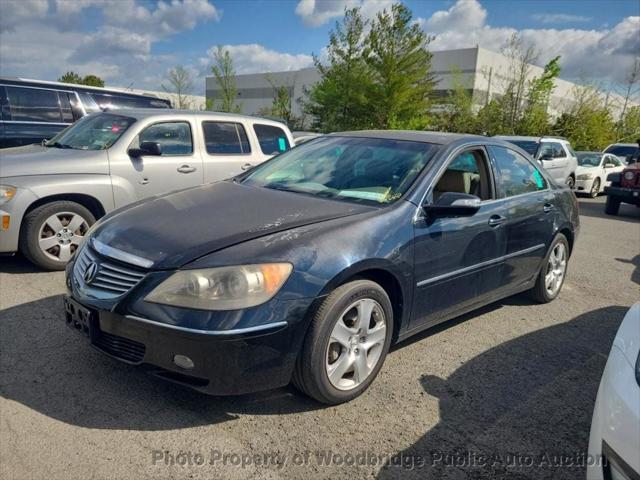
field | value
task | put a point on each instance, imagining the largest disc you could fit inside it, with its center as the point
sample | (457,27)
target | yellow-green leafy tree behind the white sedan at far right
(587,123)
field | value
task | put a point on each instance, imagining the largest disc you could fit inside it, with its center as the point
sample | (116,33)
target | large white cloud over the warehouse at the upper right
(603,55)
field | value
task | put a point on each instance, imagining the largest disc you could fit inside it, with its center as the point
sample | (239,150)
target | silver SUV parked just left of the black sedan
(51,194)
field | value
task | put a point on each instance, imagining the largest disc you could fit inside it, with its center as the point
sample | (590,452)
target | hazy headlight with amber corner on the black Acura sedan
(222,288)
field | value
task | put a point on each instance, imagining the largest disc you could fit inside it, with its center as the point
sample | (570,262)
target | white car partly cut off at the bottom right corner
(614,443)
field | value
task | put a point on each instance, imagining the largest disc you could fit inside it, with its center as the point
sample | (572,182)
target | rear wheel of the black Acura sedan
(553,271)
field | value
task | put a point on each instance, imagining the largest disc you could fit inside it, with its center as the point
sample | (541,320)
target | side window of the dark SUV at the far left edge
(33,104)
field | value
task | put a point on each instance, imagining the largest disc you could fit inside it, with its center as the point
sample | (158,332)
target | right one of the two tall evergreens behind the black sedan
(400,63)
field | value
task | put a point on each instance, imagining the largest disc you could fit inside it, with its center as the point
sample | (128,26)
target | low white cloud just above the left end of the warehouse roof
(254,58)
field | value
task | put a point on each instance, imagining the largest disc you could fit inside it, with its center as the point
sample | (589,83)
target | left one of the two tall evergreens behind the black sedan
(340,101)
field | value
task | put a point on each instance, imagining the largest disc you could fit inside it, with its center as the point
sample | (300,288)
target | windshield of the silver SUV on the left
(93,132)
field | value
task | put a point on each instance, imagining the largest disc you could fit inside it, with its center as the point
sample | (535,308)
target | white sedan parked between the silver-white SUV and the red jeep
(593,169)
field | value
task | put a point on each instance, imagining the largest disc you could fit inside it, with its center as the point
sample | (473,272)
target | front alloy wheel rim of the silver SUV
(60,235)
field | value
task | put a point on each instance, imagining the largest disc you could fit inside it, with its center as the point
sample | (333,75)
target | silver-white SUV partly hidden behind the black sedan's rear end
(555,154)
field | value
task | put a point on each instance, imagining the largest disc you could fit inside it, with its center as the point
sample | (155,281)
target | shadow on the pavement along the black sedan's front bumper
(51,369)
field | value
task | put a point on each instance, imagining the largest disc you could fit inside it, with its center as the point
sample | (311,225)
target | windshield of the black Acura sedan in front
(355,169)
